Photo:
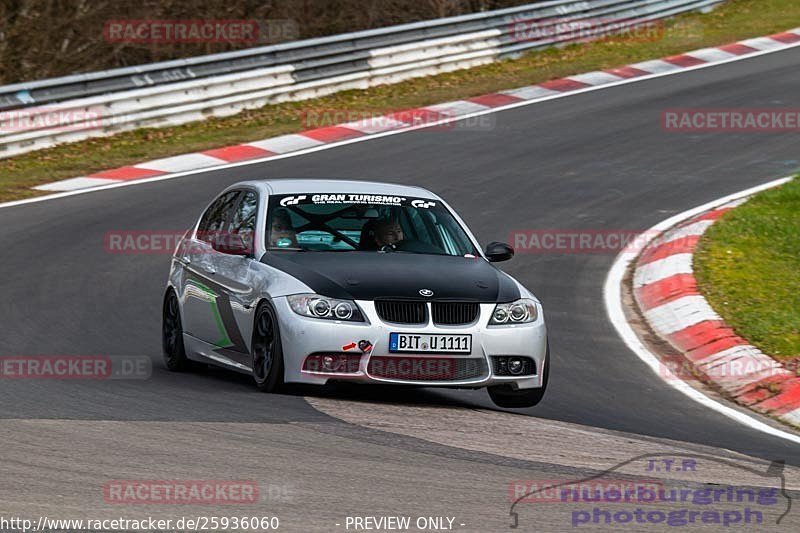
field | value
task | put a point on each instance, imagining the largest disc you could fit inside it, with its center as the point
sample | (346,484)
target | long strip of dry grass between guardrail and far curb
(735,20)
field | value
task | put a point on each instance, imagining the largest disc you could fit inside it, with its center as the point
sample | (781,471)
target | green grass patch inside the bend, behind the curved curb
(748,267)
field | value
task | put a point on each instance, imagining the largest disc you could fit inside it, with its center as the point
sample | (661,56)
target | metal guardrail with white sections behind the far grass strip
(175,92)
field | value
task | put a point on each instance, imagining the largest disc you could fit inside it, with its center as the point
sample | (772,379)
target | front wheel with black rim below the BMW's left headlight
(266,350)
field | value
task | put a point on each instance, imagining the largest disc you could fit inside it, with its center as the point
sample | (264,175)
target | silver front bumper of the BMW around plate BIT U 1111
(302,337)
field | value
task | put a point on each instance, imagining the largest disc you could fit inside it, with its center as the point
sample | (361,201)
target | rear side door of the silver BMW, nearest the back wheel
(201,291)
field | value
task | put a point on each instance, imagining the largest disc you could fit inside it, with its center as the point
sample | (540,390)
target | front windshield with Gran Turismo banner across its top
(364,222)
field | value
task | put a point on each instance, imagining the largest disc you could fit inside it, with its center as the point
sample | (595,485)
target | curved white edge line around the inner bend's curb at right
(612,295)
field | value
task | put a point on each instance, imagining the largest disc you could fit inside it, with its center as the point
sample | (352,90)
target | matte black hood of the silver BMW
(371,275)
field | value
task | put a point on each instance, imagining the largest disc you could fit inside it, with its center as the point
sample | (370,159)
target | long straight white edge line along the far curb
(394,132)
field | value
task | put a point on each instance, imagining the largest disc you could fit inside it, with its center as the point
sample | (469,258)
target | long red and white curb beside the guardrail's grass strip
(413,118)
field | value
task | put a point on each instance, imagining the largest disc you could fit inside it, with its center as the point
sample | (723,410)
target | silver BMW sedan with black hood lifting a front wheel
(311,281)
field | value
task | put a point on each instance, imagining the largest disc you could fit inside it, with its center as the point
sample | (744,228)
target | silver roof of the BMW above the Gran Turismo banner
(294,186)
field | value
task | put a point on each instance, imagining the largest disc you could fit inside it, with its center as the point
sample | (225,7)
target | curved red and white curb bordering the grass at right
(666,291)
